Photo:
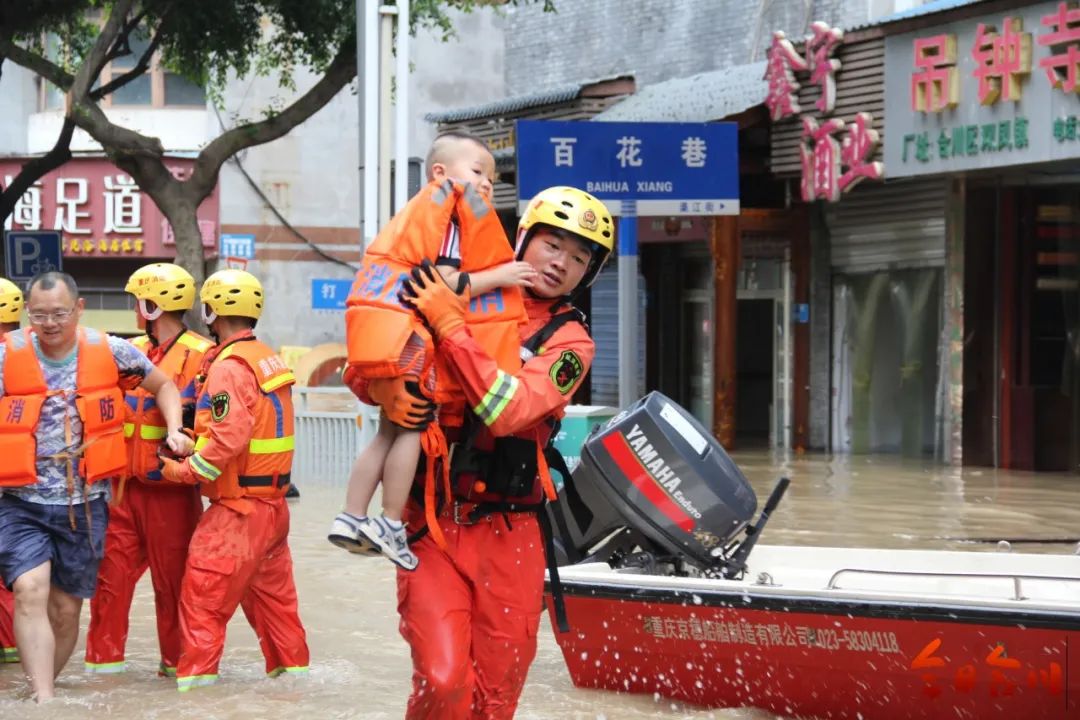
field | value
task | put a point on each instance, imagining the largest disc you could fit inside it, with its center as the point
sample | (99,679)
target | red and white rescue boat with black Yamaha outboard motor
(668,593)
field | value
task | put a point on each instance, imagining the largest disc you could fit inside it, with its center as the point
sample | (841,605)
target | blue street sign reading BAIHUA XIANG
(663,169)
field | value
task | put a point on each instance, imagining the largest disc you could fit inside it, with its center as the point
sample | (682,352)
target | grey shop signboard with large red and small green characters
(987,92)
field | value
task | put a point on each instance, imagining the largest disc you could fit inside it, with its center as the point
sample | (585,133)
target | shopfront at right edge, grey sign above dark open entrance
(982,102)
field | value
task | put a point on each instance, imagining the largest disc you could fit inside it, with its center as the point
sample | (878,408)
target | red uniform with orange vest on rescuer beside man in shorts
(151,522)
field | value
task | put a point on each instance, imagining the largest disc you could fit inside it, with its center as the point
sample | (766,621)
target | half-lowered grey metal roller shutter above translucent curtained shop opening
(889,226)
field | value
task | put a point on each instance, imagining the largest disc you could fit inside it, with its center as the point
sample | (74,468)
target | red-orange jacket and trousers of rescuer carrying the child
(471,613)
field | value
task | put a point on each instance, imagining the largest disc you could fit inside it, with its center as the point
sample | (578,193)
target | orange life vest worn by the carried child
(379,327)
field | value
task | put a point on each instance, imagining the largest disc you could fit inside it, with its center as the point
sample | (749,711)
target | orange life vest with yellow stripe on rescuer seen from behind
(265,469)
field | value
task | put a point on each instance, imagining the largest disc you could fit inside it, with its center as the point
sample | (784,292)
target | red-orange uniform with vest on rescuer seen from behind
(239,554)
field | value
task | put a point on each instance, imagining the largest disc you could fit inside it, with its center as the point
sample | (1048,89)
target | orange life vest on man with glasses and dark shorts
(100,403)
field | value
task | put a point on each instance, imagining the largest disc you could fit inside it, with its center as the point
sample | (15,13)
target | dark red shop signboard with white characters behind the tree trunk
(101,212)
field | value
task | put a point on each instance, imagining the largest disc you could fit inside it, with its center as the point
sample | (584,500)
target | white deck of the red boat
(1024,582)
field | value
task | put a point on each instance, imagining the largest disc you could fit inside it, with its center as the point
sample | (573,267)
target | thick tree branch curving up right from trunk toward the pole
(339,75)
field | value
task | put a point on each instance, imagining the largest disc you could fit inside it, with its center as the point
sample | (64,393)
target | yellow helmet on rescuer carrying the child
(576,212)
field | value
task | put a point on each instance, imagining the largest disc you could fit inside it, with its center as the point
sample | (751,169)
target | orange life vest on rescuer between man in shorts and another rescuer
(144,424)
